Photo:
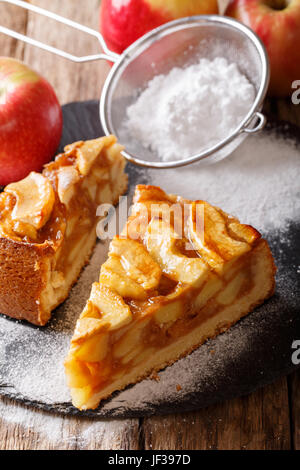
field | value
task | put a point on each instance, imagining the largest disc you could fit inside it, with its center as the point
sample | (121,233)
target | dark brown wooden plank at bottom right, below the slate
(258,421)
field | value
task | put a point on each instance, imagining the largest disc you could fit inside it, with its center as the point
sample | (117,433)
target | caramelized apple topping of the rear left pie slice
(82,175)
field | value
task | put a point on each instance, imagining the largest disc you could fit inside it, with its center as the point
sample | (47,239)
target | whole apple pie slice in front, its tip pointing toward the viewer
(181,272)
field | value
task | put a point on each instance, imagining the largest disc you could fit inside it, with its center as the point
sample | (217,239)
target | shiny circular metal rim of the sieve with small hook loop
(154,35)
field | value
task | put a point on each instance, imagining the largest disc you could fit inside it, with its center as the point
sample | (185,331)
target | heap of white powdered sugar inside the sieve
(190,109)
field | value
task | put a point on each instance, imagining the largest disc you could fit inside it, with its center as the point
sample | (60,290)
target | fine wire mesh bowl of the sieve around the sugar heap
(180,44)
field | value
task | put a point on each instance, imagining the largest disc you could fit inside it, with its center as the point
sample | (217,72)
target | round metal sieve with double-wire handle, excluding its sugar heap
(179,43)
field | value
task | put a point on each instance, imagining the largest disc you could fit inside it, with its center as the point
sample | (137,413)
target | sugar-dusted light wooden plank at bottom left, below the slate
(23,428)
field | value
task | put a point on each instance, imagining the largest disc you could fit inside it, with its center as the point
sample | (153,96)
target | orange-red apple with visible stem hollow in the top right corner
(277,22)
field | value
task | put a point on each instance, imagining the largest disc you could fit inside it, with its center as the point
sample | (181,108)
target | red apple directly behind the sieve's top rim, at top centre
(123,21)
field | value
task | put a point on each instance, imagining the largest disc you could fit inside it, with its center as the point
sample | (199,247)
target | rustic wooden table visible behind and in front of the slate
(266,419)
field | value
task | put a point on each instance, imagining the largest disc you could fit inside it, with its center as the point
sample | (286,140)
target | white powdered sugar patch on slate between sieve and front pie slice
(258,183)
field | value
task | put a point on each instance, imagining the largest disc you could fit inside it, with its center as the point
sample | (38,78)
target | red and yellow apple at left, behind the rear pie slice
(30,121)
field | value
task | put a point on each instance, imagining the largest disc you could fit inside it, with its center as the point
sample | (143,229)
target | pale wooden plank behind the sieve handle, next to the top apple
(72,82)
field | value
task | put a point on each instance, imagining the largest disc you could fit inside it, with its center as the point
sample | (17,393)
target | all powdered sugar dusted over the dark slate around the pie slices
(259,183)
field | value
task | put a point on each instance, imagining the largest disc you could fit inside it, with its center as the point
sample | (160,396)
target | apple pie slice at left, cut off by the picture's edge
(48,226)
